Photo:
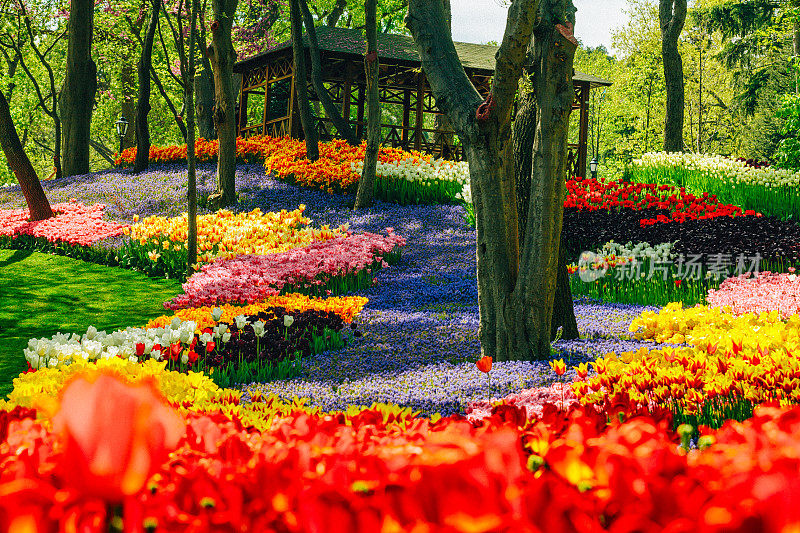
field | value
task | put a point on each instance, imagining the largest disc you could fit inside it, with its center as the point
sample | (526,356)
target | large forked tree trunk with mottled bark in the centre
(515,288)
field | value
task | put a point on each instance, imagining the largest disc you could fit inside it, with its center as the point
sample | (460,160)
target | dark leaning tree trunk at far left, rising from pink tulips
(18,161)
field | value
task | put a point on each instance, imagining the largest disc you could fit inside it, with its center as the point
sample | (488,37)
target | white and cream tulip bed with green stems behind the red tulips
(769,190)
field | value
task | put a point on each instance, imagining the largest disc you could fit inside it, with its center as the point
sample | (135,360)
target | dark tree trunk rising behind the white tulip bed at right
(672,16)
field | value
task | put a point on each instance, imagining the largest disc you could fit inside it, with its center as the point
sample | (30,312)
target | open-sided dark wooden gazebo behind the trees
(267,100)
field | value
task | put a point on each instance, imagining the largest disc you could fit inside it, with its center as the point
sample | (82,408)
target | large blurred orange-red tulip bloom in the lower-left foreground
(116,435)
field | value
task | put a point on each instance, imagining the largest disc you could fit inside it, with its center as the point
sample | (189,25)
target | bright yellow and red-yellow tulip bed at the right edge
(733,363)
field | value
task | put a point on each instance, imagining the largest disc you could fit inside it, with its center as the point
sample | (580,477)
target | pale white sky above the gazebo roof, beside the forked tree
(480,21)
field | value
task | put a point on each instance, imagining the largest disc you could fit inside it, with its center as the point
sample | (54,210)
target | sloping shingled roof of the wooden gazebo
(400,48)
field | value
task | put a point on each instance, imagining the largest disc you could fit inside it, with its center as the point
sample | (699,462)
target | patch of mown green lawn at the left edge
(43,294)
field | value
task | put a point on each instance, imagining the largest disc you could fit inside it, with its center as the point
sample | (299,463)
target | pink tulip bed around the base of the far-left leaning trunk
(74,224)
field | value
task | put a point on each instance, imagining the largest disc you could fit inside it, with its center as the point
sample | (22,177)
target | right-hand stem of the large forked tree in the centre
(530,311)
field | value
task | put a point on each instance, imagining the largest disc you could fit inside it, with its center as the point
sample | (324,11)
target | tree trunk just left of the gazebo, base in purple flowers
(222,57)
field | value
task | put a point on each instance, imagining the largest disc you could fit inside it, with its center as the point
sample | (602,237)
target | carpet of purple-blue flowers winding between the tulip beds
(418,338)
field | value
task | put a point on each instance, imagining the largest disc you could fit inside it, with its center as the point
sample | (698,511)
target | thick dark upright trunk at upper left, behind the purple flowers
(80,86)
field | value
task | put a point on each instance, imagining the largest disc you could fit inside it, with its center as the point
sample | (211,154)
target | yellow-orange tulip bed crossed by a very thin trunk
(158,245)
